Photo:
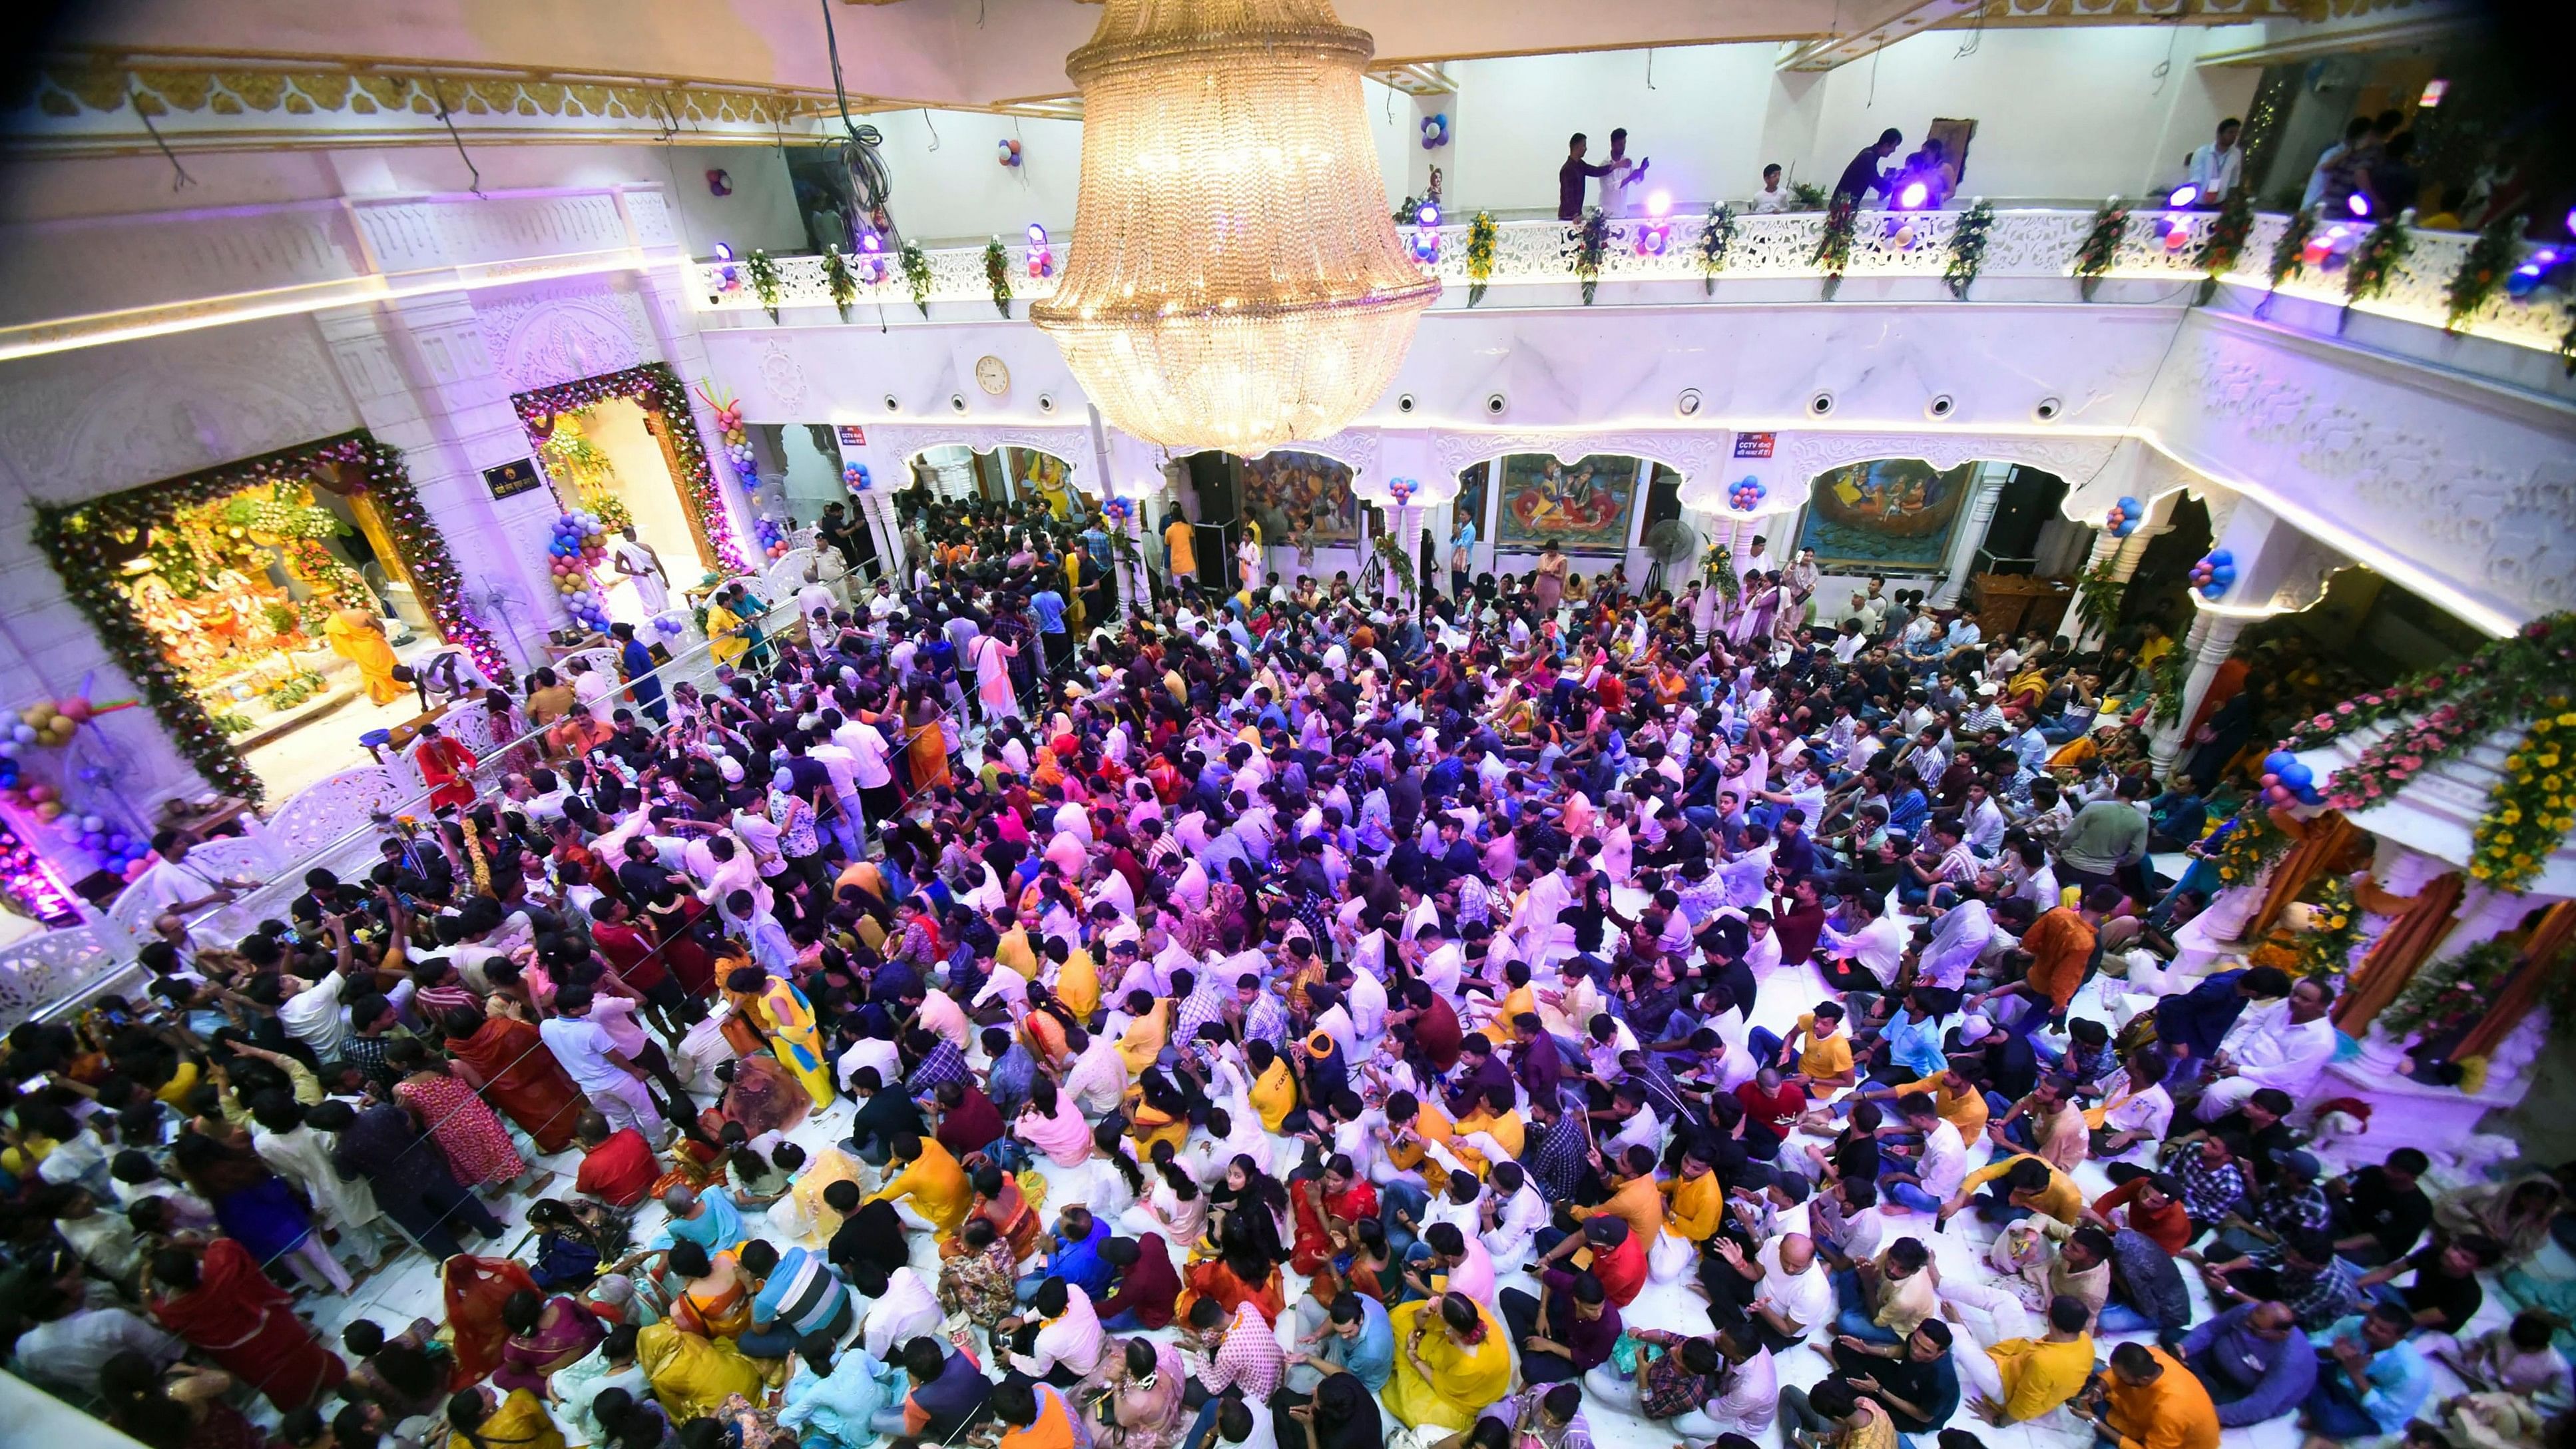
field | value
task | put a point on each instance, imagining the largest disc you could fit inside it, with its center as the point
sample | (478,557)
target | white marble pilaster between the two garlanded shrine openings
(424,380)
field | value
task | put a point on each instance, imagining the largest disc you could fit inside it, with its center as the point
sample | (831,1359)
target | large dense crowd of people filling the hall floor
(1266,1017)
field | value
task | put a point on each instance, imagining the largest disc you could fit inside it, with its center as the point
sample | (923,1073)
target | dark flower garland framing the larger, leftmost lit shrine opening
(84,543)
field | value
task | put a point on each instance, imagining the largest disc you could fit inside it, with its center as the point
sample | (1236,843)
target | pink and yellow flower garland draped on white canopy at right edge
(2451,710)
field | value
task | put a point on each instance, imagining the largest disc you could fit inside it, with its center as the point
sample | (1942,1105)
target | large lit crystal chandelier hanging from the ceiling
(1235,277)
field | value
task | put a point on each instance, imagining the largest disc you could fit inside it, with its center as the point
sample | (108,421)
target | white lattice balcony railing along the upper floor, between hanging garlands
(2026,244)
